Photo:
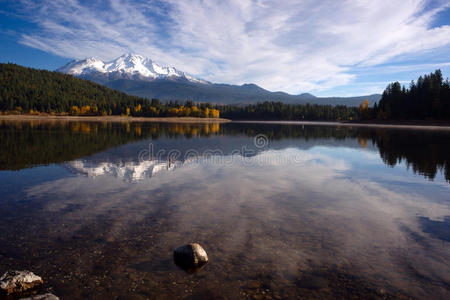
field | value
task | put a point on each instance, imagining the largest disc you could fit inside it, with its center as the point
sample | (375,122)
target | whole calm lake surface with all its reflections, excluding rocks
(283,211)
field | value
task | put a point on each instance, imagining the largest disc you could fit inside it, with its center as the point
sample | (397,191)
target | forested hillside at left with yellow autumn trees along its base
(26,90)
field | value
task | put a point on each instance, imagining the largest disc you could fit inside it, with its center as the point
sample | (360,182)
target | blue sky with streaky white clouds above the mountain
(328,48)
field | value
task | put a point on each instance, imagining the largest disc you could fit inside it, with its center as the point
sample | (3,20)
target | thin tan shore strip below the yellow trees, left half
(111,119)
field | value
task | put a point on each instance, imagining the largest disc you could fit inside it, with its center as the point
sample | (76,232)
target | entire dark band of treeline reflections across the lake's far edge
(27,144)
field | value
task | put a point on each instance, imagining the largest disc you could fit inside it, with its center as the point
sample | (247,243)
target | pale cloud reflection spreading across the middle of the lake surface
(282,215)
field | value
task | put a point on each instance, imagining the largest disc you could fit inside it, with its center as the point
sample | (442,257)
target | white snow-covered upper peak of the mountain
(127,66)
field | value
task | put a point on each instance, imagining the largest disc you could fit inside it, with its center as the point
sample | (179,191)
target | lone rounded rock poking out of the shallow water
(190,257)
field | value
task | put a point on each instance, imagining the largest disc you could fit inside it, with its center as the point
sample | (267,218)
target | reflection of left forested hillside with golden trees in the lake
(27,144)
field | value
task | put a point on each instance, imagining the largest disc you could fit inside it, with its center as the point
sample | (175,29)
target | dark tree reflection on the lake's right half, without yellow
(425,152)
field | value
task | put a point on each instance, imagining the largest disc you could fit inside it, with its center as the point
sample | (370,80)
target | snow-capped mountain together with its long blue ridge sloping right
(140,76)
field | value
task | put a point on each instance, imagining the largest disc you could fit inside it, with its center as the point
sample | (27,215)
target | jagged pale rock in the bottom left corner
(13,282)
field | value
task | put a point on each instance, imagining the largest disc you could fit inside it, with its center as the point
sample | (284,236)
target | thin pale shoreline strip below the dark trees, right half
(393,125)
